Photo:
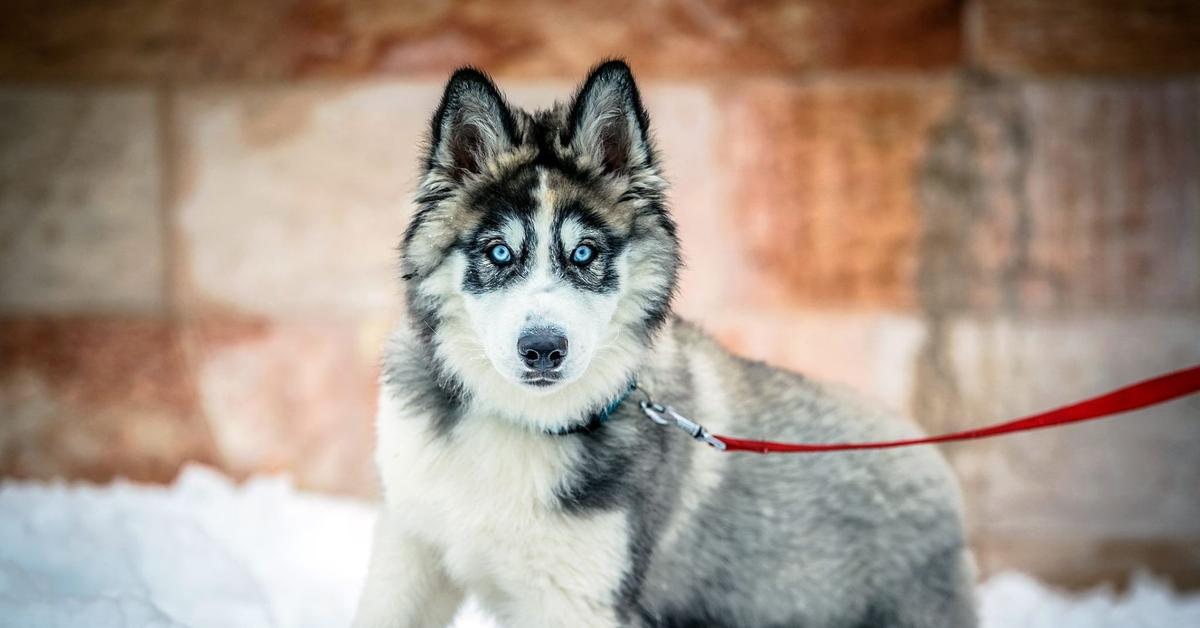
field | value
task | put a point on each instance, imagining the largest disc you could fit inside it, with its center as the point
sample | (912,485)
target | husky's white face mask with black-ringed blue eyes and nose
(542,278)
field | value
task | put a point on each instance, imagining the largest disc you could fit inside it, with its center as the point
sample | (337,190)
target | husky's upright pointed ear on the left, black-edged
(472,125)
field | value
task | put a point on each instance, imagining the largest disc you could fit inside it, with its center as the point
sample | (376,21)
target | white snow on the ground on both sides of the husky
(207,553)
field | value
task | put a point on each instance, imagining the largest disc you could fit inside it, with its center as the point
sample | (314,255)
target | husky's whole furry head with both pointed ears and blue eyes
(542,259)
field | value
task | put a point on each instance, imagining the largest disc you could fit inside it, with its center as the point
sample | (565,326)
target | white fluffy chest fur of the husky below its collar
(485,500)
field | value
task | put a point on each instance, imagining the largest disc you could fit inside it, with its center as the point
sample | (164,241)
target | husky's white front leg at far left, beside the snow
(406,584)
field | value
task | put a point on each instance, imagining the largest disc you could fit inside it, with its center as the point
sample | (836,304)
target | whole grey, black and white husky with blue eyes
(517,466)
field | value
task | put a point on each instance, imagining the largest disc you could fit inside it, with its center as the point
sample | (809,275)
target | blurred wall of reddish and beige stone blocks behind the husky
(971,211)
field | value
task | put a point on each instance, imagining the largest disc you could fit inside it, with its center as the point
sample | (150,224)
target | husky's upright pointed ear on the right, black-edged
(608,122)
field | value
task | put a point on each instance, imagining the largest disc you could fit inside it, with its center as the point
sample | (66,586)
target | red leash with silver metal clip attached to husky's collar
(1139,396)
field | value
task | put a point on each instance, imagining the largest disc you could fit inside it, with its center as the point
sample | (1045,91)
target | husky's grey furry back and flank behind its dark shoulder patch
(839,540)
